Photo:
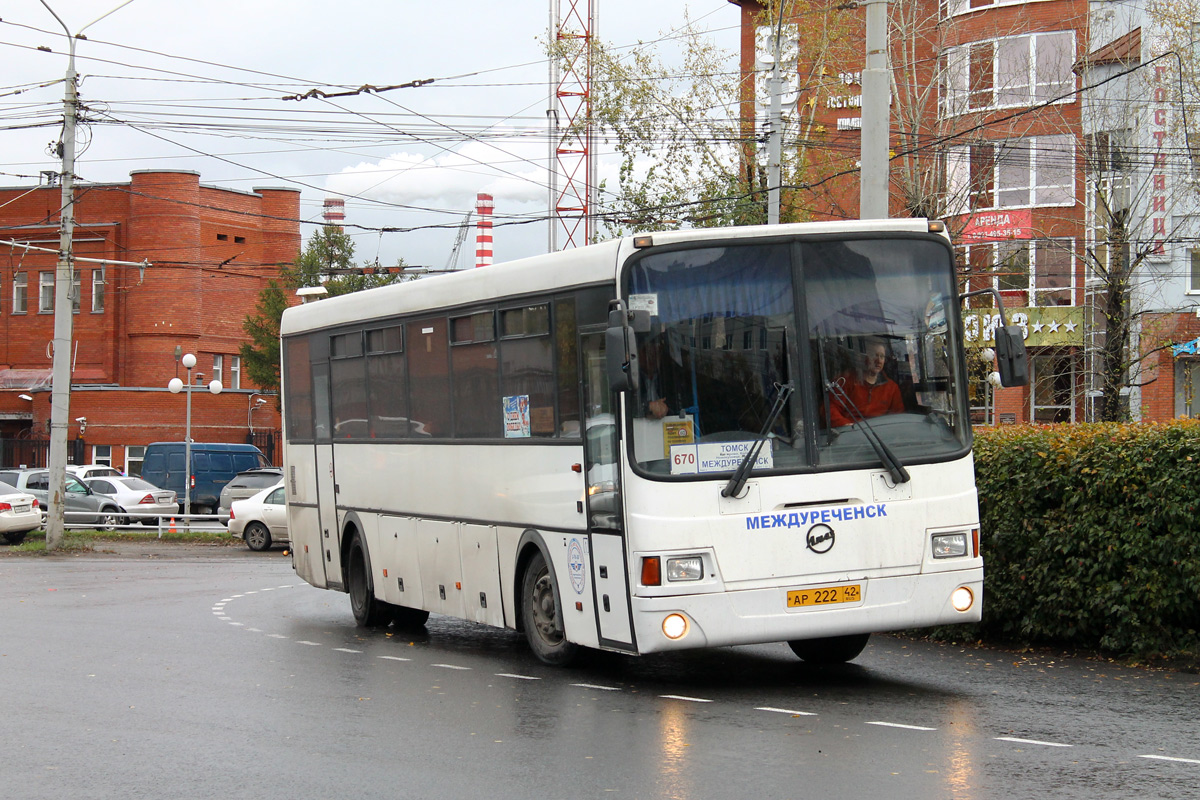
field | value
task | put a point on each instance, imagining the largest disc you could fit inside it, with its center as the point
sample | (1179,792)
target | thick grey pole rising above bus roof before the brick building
(873,188)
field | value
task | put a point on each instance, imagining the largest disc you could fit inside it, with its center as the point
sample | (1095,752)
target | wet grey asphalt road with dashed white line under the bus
(217,673)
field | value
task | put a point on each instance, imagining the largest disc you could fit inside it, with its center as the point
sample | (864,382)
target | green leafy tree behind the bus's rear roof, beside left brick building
(327,261)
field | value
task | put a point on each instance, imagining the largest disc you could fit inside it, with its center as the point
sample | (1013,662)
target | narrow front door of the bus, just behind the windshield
(607,534)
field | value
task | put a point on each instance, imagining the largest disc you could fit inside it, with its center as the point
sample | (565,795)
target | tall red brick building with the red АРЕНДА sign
(987,135)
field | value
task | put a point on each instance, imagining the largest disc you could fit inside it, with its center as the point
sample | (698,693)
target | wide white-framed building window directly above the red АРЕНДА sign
(1012,173)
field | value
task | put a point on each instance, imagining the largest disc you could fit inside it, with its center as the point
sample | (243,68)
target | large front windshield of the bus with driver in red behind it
(860,332)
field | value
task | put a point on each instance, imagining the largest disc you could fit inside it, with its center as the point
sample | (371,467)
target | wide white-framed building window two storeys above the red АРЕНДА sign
(1009,73)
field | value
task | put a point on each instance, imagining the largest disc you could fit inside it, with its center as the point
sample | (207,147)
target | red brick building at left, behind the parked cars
(209,251)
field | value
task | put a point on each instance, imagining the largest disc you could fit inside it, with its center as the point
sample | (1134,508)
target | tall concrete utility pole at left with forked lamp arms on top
(61,389)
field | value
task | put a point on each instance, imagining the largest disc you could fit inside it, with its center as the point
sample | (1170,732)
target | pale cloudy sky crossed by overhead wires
(202,87)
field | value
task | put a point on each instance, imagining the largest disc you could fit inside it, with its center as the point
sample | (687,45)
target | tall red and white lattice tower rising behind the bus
(572,136)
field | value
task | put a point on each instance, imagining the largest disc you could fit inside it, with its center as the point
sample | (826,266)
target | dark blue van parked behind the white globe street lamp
(213,467)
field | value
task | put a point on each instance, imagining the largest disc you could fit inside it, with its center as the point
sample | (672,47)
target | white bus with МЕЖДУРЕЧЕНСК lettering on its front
(677,441)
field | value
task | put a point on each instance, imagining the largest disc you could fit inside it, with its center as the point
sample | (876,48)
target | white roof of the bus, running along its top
(573,268)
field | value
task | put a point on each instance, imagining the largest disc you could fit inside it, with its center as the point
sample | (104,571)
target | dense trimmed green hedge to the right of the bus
(1091,537)
